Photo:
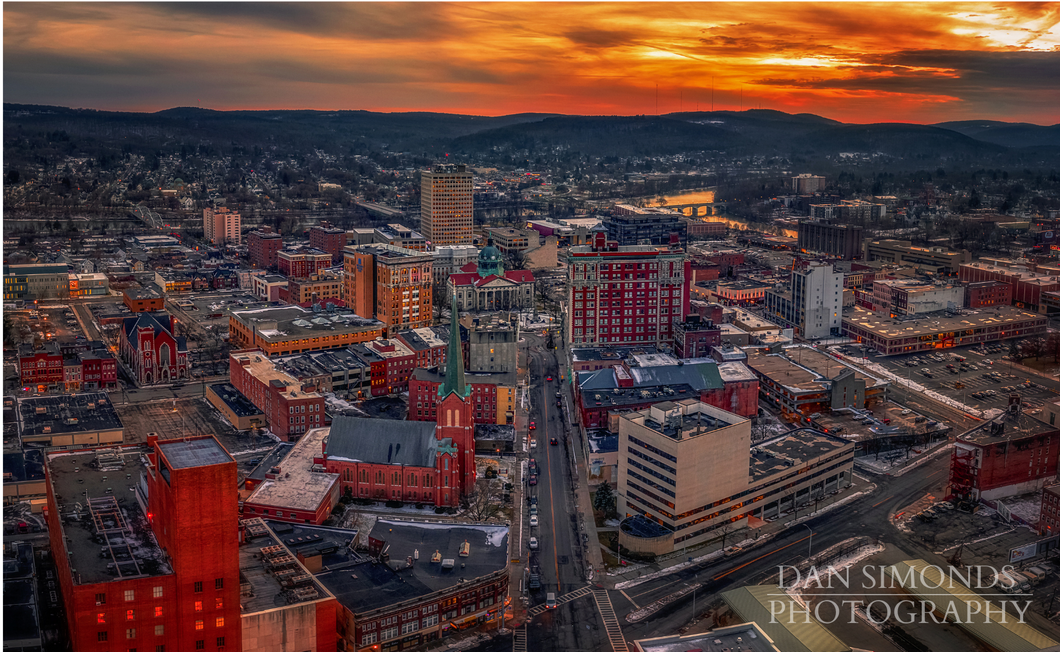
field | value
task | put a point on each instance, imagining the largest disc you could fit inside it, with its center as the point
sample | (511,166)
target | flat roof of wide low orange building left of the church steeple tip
(295,323)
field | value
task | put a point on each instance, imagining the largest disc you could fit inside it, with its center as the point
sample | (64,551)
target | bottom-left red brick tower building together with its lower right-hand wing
(169,579)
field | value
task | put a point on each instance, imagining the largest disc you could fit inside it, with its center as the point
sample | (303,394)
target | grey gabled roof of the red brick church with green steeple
(383,442)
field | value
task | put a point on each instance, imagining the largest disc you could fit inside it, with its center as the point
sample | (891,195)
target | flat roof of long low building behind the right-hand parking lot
(937,323)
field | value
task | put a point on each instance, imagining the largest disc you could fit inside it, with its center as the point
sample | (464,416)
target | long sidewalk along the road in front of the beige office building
(711,552)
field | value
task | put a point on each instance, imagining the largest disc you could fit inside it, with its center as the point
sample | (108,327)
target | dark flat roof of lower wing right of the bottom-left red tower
(272,578)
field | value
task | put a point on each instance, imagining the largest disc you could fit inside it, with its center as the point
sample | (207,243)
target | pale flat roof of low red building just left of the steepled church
(297,486)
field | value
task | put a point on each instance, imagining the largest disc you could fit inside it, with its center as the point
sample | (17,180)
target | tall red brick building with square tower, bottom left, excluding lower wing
(182,589)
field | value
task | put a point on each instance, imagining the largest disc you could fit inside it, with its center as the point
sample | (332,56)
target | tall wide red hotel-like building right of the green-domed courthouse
(625,295)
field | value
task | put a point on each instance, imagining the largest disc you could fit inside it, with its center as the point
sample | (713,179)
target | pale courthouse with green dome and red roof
(485,287)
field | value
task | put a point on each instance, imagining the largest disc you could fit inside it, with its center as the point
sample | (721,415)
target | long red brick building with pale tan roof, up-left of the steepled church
(289,409)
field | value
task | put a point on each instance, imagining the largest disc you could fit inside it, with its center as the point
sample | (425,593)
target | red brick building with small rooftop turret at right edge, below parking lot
(1010,455)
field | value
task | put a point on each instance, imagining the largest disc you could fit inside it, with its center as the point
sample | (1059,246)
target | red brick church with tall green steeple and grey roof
(412,462)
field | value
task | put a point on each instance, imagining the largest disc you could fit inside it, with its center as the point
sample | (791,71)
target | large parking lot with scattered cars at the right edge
(976,377)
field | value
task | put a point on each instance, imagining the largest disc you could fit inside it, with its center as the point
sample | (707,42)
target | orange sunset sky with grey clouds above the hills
(854,62)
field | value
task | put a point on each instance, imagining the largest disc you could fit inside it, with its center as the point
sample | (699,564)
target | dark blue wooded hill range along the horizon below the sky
(752,133)
